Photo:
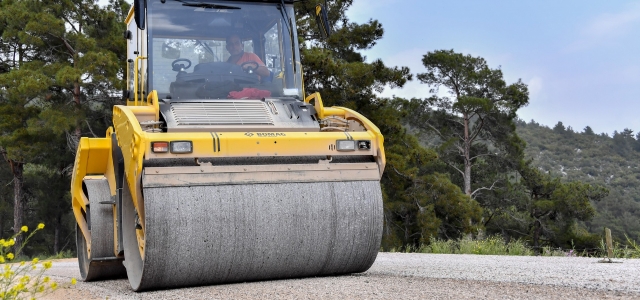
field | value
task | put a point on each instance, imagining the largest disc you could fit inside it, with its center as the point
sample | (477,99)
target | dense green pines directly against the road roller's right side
(418,203)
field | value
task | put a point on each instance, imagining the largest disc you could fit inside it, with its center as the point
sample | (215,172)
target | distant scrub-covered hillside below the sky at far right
(611,161)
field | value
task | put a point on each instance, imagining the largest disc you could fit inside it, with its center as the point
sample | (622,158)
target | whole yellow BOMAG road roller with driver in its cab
(220,168)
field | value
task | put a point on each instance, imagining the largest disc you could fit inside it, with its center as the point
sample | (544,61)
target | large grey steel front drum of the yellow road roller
(232,233)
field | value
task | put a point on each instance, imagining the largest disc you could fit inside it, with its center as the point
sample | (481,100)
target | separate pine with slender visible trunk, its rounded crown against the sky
(475,125)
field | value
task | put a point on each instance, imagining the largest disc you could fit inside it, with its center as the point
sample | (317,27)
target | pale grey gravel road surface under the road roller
(408,276)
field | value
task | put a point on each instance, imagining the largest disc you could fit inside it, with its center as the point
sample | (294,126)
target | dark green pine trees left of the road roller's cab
(61,63)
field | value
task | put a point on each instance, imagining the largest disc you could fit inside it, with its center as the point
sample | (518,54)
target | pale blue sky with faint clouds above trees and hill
(580,59)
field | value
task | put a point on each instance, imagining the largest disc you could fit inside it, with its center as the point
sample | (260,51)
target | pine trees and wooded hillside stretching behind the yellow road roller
(459,165)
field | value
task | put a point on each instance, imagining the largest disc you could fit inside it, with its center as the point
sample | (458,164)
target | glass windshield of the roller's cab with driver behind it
(191,45)
